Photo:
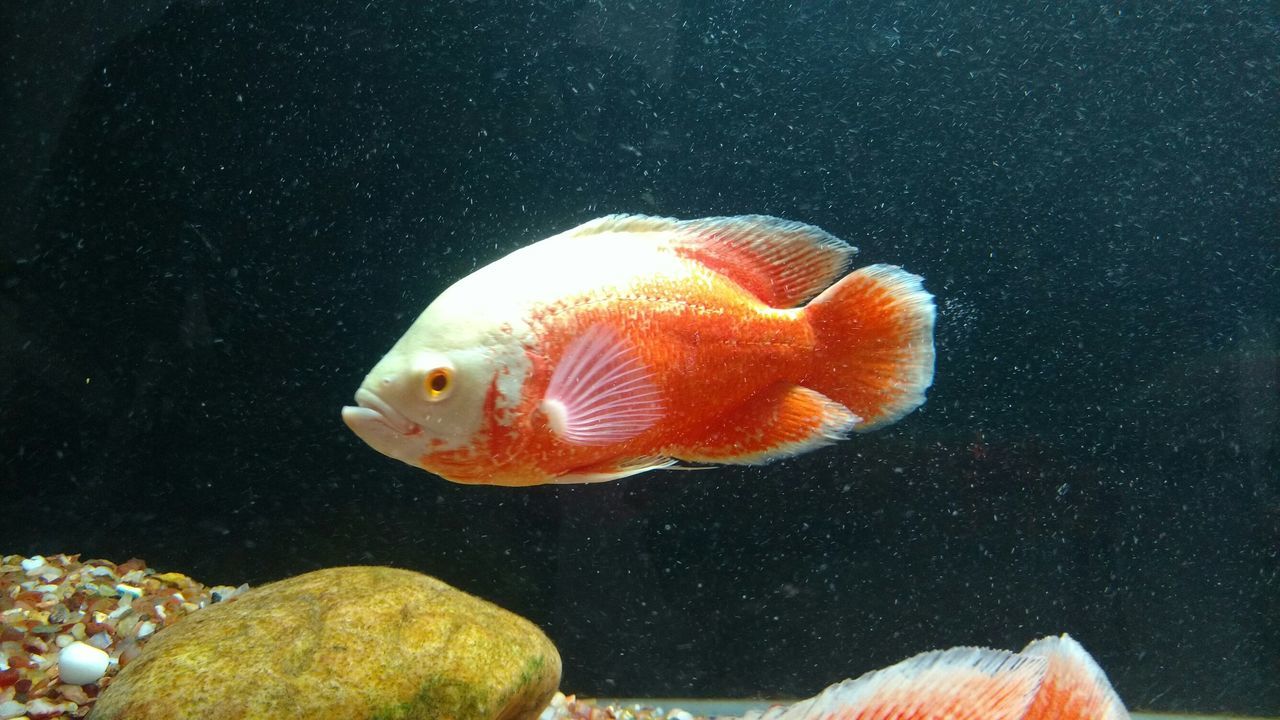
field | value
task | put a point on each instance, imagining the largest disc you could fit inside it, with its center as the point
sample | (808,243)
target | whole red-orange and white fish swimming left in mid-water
(632,343)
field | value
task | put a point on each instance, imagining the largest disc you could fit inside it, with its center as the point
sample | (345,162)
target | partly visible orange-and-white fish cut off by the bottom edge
(1050,680)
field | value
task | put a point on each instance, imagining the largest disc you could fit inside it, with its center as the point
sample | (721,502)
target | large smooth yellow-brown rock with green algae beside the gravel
(346,642)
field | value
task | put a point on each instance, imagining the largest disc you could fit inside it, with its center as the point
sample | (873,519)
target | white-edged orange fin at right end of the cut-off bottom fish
(1075,687)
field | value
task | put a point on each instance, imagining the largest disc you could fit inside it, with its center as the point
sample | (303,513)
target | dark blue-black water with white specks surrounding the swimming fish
(218,216)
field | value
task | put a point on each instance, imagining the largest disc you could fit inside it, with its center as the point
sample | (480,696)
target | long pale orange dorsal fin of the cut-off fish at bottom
(963,683)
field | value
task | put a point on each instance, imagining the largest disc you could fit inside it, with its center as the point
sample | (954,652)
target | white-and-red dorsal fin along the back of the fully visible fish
(780,262)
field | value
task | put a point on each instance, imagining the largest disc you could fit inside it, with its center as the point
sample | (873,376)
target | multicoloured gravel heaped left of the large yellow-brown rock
(48,604)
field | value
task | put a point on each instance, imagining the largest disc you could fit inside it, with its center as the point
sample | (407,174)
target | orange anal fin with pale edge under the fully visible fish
(781,422)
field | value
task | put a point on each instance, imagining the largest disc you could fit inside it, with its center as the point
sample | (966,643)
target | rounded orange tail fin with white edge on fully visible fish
(874,332)
